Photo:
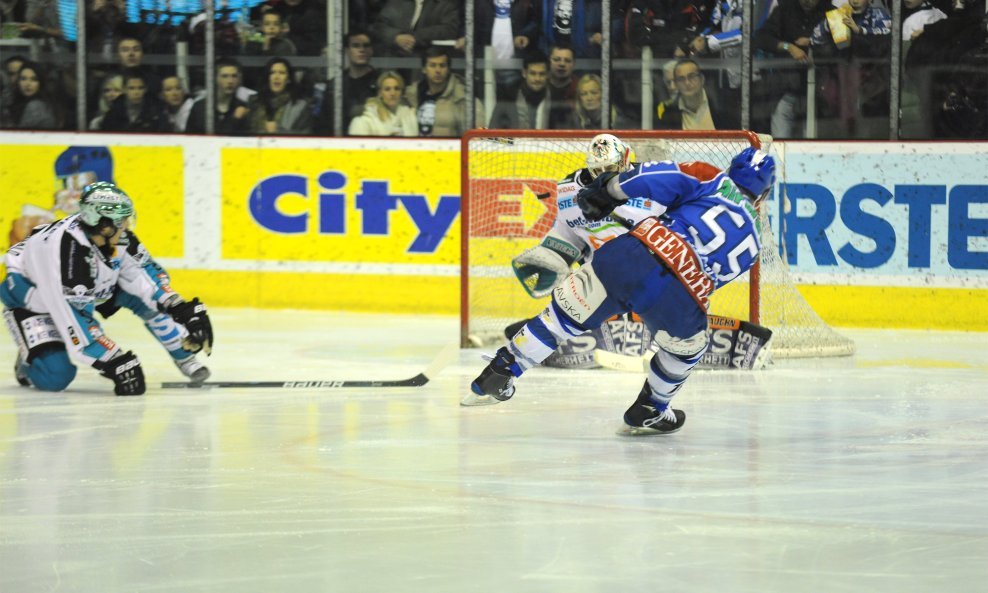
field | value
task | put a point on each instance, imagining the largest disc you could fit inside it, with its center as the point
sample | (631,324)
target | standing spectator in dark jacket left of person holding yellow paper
(787,32)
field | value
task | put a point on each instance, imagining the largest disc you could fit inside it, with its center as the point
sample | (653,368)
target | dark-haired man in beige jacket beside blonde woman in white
(439,100)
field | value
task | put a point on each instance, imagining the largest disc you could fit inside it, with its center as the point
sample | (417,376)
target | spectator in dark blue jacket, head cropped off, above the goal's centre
(572,23)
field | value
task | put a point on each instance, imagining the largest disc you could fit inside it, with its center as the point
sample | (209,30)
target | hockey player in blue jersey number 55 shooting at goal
(665,270)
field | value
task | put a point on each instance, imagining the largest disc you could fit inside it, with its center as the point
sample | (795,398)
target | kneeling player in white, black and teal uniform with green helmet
(65,272)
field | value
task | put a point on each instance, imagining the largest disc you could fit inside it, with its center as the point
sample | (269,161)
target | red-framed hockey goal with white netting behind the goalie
(509,189)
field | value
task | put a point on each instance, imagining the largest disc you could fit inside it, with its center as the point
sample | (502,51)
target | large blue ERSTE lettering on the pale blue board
(932,213)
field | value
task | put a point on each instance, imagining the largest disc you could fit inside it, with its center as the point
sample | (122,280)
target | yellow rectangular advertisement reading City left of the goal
(337,205)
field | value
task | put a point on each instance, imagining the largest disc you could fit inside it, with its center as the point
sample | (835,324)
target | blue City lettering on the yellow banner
(374,200)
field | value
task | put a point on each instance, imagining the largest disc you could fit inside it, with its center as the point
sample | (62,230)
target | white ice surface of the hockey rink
(860,474)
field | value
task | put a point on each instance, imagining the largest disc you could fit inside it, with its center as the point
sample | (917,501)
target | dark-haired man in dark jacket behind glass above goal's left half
(528,107)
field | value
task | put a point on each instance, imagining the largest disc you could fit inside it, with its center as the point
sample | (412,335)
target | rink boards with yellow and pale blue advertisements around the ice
(877,234)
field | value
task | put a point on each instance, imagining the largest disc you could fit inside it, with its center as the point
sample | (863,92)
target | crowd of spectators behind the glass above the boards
(537,64)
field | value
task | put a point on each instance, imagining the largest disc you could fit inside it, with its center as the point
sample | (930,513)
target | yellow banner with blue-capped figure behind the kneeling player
(41,183)
